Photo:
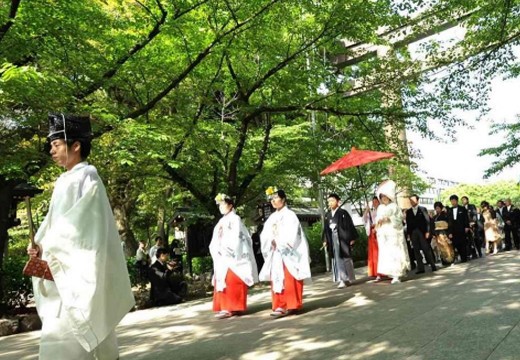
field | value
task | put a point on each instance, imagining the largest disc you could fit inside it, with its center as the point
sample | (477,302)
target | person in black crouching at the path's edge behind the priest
(160,274)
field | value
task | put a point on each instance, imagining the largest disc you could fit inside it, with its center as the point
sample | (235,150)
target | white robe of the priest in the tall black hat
(91,290)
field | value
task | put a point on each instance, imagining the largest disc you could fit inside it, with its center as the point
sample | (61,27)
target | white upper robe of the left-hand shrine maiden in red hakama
(231,248)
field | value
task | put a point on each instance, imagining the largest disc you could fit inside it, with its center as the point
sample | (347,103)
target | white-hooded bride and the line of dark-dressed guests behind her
(398,242)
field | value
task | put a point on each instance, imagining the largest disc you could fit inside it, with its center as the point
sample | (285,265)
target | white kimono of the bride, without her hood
(393,257)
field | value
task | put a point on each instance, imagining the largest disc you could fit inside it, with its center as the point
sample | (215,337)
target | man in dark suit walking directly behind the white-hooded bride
(418,231)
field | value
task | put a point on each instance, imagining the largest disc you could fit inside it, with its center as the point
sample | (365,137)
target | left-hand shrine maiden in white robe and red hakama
(234,265)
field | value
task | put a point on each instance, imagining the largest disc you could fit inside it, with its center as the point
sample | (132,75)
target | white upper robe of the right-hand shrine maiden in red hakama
(292,249)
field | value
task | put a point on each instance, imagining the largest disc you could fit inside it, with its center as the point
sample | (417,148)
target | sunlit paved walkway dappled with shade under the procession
(468,311)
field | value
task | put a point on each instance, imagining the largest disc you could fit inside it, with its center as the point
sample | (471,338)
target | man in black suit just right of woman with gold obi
(458,227)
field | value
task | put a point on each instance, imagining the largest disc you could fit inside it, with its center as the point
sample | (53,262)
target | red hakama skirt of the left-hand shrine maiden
(233,297)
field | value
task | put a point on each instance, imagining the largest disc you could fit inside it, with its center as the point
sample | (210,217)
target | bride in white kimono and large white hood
(393,255)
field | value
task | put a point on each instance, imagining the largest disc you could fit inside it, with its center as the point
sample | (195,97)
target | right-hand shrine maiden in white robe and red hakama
(286,255)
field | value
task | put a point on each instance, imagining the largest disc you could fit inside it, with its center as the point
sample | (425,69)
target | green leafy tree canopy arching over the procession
(191,98)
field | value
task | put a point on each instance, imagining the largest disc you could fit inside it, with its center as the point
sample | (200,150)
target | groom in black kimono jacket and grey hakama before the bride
(339,235)
